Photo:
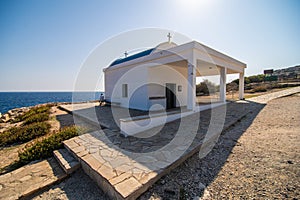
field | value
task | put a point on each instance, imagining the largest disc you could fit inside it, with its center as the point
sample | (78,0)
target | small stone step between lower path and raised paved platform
(66,160)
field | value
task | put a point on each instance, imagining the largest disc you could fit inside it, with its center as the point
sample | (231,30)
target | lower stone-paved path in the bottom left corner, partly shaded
(30,178)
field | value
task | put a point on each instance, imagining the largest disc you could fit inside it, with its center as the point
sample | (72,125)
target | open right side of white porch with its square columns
(206,62)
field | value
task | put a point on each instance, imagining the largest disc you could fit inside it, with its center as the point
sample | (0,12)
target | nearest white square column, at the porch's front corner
(191,93)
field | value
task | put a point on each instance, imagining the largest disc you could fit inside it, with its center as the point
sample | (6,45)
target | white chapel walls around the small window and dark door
(141,82)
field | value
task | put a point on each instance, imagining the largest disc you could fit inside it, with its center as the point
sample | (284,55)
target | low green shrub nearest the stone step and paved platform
(45,148)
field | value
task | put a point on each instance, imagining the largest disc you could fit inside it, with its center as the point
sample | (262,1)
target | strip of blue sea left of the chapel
(11,100)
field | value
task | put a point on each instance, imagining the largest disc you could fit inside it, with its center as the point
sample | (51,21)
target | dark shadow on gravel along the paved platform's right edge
(195,173)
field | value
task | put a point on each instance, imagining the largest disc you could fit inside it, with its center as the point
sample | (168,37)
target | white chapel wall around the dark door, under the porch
(168,74)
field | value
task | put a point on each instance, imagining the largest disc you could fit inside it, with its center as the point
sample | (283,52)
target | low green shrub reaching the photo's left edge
(24,133)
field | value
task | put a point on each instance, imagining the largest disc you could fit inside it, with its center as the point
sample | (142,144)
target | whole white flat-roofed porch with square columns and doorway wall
(180,66)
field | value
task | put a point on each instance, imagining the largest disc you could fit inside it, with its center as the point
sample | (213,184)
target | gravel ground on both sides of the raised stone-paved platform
(258,158)
